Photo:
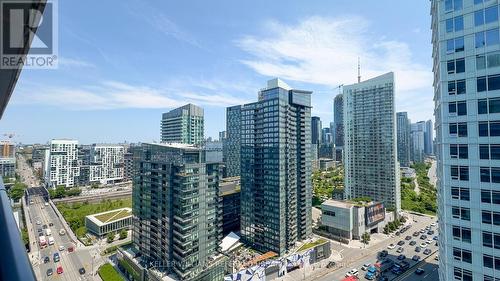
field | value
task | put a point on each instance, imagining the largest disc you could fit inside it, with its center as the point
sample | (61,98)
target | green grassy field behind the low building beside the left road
(74,213)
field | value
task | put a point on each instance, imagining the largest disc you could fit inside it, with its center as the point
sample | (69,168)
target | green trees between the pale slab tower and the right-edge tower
(426,201)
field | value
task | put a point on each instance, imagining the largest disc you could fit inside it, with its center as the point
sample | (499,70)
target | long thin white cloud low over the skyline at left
(117,95)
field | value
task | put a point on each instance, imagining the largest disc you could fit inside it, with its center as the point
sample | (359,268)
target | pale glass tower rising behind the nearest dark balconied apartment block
(183,125)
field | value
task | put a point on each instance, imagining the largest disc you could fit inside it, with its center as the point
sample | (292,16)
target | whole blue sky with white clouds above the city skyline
(123,63)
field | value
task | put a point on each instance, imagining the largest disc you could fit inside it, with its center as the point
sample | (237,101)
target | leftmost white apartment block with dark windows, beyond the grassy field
(62,165)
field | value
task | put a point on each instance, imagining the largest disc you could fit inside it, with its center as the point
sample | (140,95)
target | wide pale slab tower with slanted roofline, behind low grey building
(371,167)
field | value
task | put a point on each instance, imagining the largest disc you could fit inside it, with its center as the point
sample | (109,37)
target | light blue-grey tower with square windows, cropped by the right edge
(466,60)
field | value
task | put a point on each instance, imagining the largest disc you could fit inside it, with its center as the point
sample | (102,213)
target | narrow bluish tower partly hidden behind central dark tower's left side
(232,145)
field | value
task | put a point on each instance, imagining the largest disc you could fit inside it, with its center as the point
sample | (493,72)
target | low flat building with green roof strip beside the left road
(110,221)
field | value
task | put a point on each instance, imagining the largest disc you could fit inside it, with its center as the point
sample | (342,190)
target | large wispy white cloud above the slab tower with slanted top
(325,51)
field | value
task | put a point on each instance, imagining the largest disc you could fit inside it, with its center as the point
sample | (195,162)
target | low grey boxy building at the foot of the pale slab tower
(349,220)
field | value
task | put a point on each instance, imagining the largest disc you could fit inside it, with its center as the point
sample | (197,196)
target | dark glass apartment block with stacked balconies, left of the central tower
(176,211)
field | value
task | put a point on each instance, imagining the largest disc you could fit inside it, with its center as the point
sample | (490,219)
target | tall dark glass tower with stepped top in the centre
(276,188)
